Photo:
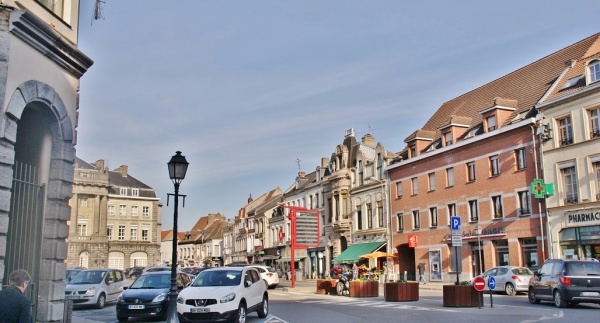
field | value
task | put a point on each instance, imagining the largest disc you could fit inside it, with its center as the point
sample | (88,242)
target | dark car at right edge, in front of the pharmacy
(566,282)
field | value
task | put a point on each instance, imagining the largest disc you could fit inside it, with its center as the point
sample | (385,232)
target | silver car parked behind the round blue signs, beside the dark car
(509,279)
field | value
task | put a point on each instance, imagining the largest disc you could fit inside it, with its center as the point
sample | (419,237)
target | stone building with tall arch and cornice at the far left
(39,83)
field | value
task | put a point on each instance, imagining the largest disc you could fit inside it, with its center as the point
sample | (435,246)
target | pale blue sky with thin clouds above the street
(252,92)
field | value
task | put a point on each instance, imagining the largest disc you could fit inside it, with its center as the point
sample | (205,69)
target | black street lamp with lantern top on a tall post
(177,169)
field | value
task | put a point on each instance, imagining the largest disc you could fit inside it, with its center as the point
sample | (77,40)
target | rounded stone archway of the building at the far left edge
(37,130)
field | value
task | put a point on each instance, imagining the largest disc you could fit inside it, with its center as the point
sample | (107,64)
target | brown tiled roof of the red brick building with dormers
(527,85)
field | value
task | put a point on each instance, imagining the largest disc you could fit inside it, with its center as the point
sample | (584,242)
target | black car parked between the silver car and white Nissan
(148,295)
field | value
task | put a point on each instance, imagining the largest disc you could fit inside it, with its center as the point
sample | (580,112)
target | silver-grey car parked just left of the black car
(96,287)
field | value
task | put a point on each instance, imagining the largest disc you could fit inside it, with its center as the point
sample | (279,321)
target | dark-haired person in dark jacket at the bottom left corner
(14,306)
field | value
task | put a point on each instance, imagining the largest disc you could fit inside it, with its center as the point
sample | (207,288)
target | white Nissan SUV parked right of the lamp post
(224,294)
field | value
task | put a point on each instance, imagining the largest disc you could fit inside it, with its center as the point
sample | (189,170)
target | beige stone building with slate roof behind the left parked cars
(115,219)
